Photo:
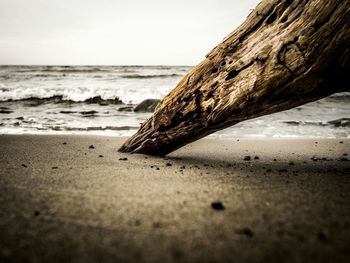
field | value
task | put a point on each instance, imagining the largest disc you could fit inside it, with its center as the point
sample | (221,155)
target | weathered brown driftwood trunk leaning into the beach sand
(285,54)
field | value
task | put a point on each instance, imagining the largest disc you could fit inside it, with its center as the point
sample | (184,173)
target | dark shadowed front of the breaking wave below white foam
(35,101)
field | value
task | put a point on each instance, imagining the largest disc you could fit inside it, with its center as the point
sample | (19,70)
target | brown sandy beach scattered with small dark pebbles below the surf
(64,201)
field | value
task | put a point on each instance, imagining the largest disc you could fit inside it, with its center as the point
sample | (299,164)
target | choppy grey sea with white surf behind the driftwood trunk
(98,100)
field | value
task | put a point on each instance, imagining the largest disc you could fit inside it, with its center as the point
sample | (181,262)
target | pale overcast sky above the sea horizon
(115,32)
